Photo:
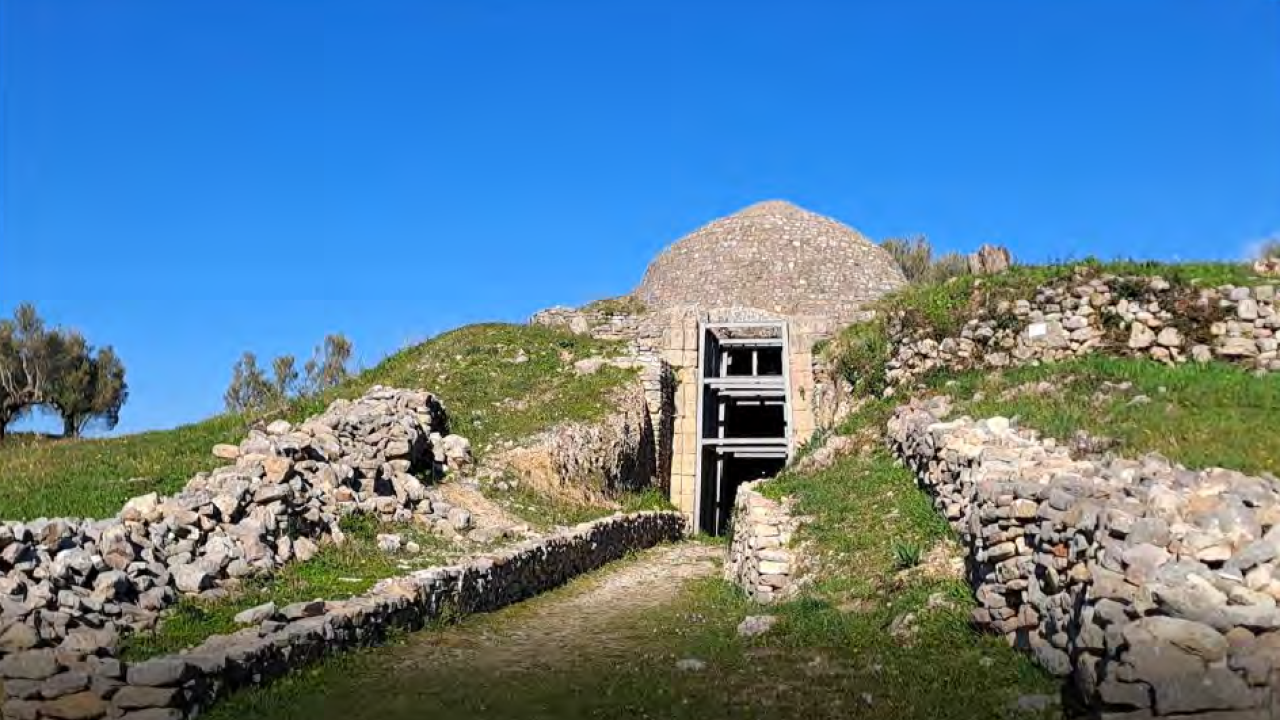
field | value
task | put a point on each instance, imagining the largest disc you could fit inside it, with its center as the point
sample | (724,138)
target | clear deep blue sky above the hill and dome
(191,180)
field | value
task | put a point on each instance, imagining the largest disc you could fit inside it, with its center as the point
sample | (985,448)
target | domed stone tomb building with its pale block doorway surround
(772,262)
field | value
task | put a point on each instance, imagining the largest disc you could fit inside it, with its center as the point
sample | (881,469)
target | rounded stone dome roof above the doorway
(772,257)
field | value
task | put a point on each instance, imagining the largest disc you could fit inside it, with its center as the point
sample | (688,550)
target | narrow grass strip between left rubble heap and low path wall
(335,573)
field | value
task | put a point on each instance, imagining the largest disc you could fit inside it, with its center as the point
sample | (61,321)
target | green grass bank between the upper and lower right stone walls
(1199,416)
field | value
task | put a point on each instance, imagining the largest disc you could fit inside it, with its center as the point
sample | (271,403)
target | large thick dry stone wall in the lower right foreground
(1153,587)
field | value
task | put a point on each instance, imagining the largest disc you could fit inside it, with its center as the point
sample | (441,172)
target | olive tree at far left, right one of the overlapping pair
(86,388)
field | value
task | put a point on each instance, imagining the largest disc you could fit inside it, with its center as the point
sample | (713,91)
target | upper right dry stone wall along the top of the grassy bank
(1124,316)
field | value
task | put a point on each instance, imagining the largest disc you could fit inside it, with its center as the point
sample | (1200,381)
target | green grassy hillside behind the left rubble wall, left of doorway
(488,398)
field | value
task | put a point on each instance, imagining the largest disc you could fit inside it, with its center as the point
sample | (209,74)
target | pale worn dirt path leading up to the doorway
(588,621)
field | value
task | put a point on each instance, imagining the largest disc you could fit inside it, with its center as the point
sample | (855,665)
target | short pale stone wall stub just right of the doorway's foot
(761,558)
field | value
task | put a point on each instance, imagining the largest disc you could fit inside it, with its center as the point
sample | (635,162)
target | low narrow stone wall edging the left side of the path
(74,682)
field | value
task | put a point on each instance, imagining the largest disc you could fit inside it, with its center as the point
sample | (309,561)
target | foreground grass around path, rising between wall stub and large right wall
(831,655)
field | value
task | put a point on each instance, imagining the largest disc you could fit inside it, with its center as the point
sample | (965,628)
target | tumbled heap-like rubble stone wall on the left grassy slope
(77,584)
